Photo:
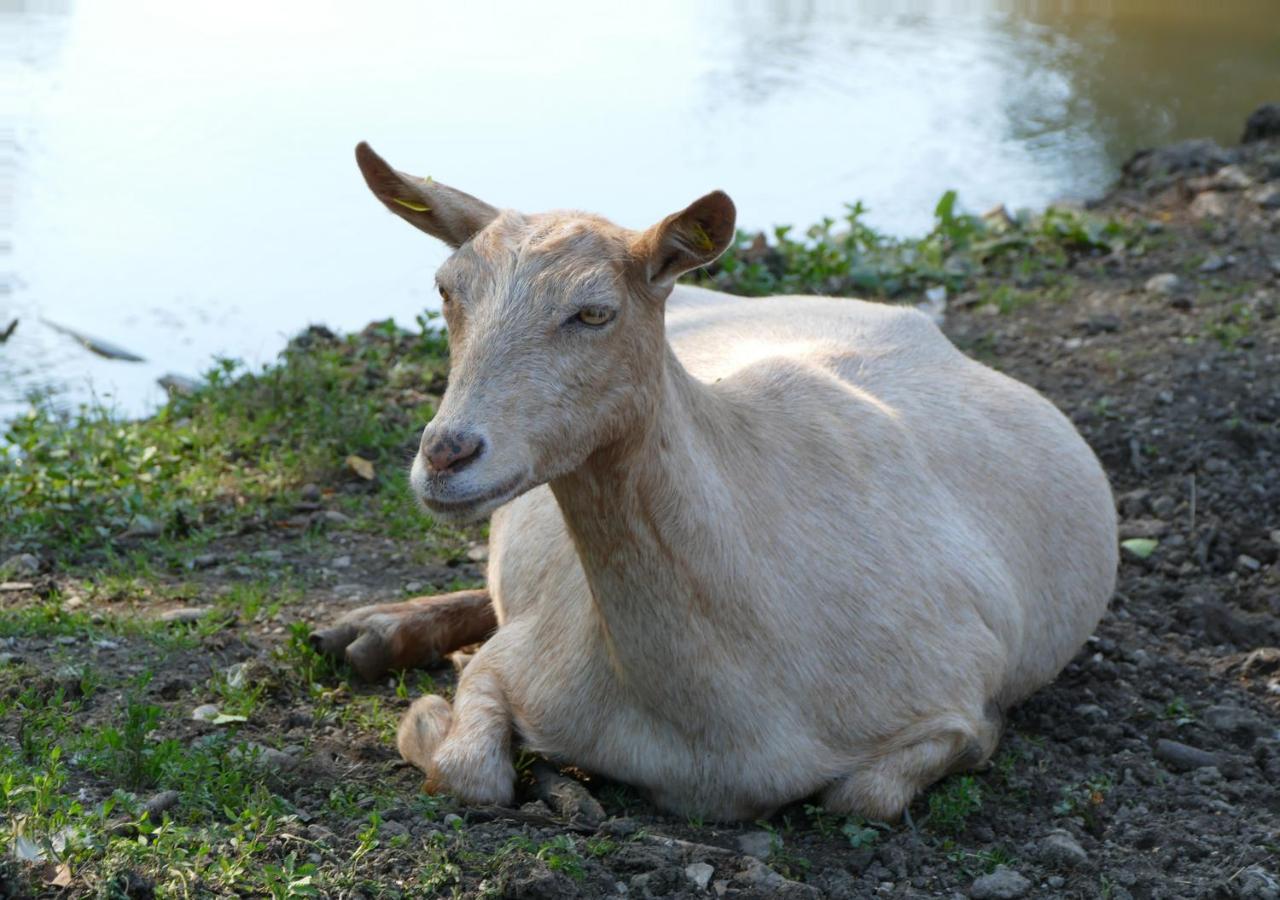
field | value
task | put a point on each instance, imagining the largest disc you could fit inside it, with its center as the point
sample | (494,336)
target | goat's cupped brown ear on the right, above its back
(687,240)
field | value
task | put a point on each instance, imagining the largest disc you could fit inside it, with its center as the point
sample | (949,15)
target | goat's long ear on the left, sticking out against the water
(437,209)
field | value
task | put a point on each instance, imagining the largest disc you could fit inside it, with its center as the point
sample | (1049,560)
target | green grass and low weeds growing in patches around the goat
(130,506)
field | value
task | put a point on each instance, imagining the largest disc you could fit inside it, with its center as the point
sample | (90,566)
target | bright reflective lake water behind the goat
(179,180)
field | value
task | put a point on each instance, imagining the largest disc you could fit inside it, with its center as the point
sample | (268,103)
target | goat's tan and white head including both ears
(556,333)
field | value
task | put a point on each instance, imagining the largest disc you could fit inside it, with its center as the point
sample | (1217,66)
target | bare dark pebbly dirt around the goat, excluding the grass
(1150,769)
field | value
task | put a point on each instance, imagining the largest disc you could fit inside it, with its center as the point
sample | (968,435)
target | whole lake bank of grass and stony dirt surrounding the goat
(168,728)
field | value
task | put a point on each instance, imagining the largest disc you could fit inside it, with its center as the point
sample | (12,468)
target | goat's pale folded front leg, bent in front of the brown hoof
(465,751)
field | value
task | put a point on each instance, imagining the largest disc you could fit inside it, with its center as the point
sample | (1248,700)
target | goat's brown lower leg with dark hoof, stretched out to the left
(412,634)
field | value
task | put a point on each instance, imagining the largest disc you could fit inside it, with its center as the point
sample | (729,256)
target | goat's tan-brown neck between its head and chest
(652,517)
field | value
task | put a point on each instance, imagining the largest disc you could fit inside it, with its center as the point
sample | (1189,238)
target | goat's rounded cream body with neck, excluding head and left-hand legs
(847,550)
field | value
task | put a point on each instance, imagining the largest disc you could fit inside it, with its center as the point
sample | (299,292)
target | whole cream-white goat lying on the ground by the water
(807,547)
